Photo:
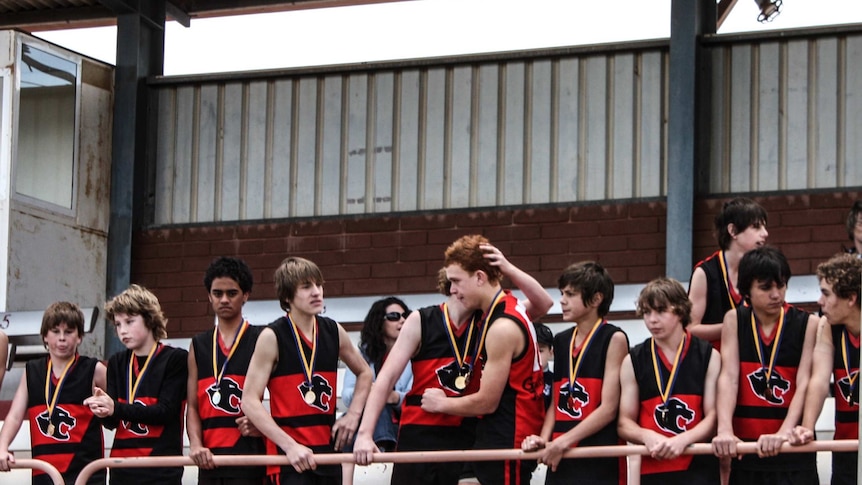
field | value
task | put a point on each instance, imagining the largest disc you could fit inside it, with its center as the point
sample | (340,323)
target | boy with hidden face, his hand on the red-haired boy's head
(438,341)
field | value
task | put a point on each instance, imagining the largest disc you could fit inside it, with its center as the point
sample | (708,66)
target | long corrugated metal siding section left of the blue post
(512,132)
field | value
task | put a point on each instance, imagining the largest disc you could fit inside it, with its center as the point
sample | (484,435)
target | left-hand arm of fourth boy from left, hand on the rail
(263,361)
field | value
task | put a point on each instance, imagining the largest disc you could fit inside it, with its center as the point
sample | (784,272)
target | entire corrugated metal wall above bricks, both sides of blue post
(546,127)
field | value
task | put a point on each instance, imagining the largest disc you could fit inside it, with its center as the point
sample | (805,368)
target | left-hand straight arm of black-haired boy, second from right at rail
(724,444)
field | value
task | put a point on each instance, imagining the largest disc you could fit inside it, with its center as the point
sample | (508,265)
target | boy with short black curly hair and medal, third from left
(218,364)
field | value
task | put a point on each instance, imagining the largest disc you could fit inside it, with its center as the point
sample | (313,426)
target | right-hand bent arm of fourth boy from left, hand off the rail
(345,426)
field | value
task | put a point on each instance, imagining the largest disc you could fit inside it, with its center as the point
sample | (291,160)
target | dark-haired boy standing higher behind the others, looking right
(739,227)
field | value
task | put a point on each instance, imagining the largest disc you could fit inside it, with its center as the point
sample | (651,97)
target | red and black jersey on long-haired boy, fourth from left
(309,423)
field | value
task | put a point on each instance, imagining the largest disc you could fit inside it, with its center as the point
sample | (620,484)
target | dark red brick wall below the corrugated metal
(401,255)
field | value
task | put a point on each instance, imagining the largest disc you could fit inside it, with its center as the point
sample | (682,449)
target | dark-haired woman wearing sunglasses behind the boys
(378,335)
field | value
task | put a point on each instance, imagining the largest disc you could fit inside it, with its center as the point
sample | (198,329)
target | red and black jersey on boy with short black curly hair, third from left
(219,403)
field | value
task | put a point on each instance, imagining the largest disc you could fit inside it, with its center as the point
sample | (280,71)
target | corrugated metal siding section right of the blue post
(787,115)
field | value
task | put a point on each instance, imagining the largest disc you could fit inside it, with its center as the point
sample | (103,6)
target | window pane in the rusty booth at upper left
(46,127)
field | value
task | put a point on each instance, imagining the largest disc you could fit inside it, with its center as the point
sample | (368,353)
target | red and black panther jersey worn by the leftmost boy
(70,437)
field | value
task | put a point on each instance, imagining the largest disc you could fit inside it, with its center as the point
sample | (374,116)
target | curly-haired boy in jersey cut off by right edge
(836,355)
